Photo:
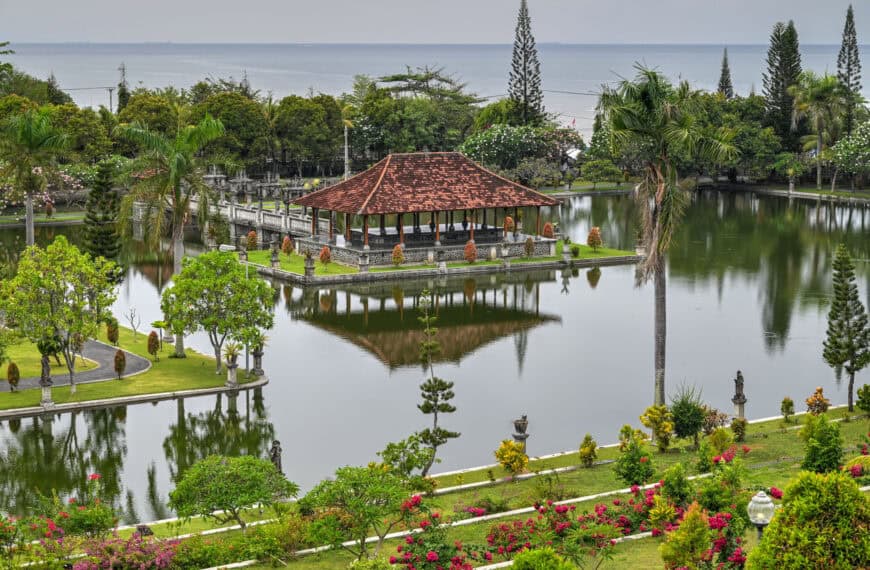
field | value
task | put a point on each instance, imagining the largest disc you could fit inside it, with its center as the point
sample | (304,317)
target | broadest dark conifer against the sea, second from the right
(783,69)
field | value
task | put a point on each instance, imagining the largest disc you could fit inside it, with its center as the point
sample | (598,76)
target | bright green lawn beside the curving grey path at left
(168,375)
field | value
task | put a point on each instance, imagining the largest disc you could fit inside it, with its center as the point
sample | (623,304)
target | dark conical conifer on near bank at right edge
(848,339)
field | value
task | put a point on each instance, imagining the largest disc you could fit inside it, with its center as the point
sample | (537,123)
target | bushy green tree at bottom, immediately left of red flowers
(357,503)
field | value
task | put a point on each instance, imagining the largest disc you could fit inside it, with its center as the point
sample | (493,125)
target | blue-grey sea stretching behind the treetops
(572,74)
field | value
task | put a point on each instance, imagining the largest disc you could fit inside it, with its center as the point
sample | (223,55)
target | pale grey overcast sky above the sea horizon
(417,21)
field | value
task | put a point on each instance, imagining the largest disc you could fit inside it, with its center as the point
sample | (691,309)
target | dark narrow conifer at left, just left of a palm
(101,228)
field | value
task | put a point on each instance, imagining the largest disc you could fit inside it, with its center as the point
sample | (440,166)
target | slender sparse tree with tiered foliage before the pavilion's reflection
(436,393)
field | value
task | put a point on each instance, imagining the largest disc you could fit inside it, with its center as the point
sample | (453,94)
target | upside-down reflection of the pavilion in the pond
(383,320)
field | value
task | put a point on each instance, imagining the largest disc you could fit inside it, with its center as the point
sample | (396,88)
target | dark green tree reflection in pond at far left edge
(49,452)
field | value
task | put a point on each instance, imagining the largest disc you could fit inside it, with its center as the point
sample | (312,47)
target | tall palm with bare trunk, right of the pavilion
(657,121)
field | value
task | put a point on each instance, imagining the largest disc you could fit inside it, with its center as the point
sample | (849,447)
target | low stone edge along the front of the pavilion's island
(370,277)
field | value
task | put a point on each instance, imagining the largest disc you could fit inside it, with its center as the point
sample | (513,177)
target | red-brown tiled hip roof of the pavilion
(423,182)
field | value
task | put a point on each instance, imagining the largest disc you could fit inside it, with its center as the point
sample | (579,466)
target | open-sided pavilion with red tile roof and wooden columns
(460,200)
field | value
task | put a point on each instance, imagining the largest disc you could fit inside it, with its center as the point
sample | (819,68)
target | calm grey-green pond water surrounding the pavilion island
(749,279)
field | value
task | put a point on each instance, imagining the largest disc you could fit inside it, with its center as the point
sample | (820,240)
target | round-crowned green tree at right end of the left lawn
(212,294)
